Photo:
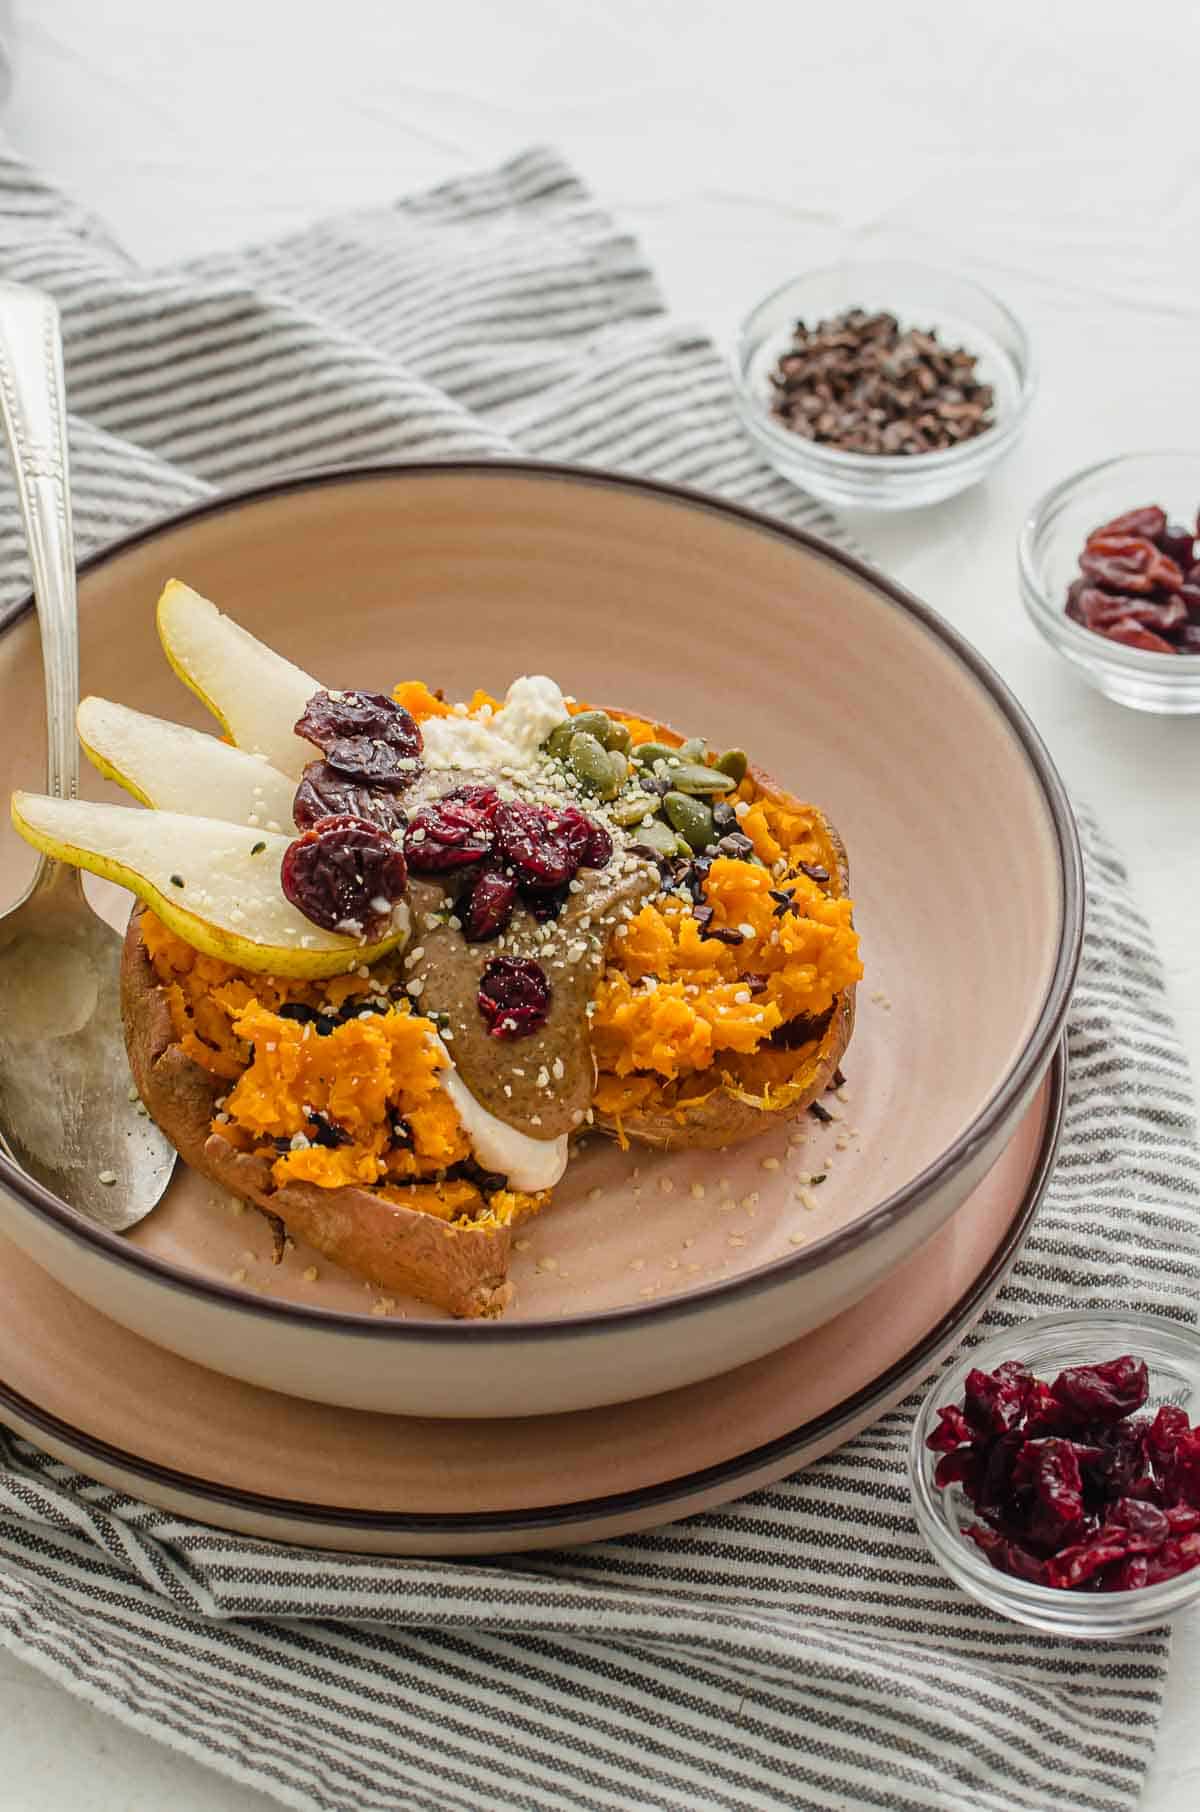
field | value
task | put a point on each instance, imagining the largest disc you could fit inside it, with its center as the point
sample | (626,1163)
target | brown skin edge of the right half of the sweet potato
(740,1097)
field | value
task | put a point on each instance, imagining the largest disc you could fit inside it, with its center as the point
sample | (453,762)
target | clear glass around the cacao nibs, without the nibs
(965,314)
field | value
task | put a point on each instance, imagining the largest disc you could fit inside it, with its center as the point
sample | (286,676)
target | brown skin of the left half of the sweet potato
(461,1269)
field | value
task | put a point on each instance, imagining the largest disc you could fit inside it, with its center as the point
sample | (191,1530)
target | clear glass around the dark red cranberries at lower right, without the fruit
(1047,1345)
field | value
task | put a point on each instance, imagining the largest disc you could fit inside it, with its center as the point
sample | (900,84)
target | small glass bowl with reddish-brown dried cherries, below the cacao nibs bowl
(1110,575)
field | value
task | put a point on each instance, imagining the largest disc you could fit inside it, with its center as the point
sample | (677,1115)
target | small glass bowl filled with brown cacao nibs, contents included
(882,383)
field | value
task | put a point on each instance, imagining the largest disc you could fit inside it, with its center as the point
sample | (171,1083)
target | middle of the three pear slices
(184,771)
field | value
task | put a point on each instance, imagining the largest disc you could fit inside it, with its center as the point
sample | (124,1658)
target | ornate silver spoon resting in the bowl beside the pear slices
(66,1112)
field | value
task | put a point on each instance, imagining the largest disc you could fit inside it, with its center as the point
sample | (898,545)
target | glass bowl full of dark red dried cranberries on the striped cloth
(1056,1472)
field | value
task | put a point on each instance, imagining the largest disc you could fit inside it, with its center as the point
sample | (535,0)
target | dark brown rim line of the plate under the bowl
(904,1371)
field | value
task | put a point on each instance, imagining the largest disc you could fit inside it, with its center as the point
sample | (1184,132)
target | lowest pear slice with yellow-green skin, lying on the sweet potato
(217,885)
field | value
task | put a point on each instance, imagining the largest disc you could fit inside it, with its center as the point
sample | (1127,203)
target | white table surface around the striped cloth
(1049,148)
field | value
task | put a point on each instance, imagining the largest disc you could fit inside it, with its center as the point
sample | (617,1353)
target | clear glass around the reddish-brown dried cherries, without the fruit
(1049,561)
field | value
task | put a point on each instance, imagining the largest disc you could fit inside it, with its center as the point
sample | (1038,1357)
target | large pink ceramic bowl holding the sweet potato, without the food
(652,1271)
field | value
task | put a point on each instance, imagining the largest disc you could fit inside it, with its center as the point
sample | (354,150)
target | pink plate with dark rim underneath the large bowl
(208,1447)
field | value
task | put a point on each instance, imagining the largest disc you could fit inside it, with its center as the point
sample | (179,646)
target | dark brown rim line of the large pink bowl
(1025,1074)
